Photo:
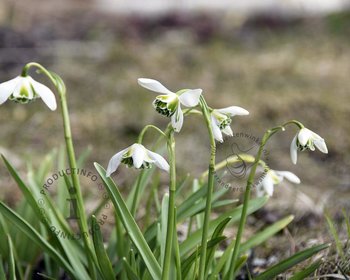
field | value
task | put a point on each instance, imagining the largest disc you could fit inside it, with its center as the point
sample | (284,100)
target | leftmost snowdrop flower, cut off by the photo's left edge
(24,90)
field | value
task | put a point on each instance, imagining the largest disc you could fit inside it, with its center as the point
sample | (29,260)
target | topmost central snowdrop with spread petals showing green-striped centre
(168,104)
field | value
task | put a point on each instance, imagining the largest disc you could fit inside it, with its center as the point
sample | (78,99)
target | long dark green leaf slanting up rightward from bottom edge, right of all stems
(284,265)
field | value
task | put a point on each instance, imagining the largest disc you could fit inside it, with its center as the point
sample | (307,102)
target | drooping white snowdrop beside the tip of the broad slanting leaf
(138,156)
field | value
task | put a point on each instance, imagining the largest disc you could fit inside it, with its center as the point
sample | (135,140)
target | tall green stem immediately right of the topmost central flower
(210,188)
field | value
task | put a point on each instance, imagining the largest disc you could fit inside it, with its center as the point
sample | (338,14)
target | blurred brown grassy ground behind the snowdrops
(280,60)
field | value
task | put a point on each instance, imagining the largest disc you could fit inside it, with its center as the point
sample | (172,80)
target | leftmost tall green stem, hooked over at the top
(80,211)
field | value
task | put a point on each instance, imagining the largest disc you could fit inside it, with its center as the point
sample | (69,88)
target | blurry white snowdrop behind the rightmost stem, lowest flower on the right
(274,177)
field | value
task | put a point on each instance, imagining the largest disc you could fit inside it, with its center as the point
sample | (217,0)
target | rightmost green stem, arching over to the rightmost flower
(246,198)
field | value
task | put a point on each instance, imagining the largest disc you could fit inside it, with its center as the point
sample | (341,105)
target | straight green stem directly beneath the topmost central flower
(171,208)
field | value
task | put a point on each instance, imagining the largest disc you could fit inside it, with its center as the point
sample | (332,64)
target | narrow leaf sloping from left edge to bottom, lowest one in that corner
(29,231)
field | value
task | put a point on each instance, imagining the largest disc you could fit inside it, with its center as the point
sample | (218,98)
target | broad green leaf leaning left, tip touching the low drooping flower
(130,225)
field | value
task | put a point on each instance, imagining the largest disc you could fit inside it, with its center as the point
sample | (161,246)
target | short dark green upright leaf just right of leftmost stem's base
(102,258)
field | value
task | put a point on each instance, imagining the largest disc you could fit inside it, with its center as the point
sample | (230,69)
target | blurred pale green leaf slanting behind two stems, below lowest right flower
(195,237)
